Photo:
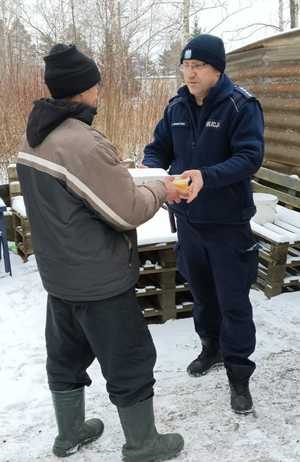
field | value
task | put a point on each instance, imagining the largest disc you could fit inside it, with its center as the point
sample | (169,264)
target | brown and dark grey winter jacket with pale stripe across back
(83,208)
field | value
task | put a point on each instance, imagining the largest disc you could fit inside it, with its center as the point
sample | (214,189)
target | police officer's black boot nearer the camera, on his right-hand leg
(241,399)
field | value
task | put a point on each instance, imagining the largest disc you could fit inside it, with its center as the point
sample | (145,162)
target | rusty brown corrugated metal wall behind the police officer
(271,70)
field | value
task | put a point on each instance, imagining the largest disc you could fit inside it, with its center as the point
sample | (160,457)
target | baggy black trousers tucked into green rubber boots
(114,332)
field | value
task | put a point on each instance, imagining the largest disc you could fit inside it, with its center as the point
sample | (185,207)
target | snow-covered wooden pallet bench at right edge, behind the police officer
(279,255)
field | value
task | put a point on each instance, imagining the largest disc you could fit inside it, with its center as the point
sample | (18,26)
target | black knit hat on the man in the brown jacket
(69,72)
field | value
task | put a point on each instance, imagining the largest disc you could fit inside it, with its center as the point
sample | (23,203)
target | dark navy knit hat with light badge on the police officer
(206,48)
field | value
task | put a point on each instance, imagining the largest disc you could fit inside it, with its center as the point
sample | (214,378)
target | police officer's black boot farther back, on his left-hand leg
(209,358)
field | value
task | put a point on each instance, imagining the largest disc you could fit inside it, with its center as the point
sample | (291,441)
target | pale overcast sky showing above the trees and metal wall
(232,28)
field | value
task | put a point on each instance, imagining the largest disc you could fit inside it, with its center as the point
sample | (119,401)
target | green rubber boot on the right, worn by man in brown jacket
(143,442)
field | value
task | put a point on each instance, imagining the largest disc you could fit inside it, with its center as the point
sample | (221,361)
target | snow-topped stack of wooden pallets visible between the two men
(161,291)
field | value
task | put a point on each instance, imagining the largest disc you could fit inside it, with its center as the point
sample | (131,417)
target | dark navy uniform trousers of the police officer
(220,263)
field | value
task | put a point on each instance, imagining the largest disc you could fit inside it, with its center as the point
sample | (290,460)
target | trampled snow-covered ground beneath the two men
(198,408)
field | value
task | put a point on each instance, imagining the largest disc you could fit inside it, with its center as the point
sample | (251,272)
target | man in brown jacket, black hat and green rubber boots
(84,208)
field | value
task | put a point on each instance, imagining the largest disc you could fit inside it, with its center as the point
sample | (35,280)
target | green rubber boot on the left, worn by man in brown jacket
(73,430)
